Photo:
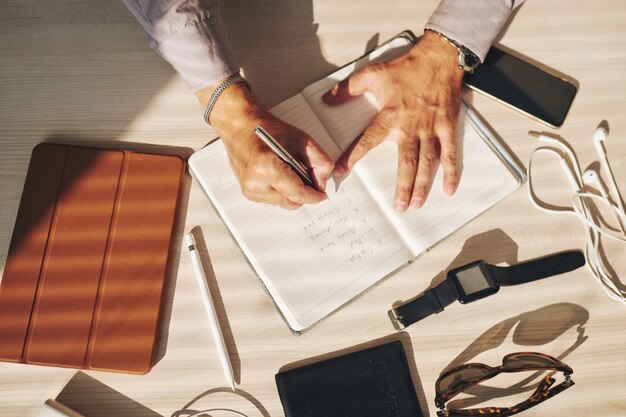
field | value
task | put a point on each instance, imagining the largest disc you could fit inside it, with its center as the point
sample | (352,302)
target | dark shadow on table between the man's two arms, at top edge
(276,42)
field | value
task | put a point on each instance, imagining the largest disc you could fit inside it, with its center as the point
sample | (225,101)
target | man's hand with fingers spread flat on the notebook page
(418,96)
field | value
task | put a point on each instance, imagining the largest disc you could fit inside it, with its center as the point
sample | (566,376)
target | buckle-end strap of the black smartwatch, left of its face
(432,301)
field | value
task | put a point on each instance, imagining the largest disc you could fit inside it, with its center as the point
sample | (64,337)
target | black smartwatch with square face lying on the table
(478,280)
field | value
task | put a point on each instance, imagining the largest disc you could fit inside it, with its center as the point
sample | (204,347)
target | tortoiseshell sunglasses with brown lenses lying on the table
(457,380)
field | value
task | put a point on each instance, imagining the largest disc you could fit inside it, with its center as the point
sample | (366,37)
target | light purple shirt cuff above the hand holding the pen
(200,52)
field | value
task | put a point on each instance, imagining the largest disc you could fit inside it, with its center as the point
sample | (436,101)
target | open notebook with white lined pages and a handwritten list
(315,259)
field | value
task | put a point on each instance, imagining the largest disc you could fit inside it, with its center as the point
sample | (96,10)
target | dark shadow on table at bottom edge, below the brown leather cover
(92,398)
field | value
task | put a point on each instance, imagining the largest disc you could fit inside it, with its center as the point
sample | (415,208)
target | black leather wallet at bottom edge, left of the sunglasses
(374,382)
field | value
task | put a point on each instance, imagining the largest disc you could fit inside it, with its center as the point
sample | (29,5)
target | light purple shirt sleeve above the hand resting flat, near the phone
(475,24)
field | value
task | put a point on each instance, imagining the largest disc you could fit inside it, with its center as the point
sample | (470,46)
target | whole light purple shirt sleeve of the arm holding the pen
(190,35)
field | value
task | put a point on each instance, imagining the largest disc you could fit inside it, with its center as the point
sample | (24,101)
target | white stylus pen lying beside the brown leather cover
(210,310)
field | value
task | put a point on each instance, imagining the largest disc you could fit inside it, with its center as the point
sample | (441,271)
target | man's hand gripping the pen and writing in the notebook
(263,177)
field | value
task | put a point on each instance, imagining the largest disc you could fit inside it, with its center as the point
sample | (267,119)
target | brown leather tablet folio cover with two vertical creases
(86,267)
